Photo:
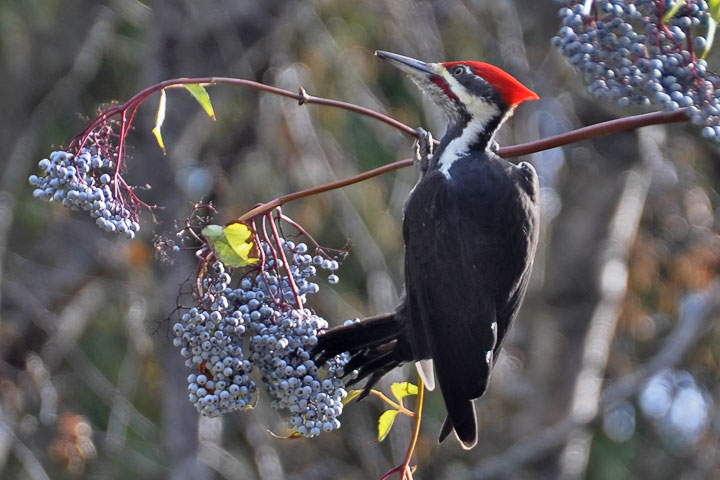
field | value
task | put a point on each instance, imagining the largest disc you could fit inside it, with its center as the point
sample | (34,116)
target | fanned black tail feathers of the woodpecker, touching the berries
(376,345)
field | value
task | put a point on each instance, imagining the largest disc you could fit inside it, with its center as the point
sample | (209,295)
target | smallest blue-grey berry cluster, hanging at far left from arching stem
(85,182)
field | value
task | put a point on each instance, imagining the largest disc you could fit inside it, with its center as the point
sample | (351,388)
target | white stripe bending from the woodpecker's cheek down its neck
(481,112)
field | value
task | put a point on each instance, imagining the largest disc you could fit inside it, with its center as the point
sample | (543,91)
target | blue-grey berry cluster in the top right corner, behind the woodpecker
(628,54)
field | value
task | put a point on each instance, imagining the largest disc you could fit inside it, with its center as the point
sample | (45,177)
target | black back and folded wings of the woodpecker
(466,274)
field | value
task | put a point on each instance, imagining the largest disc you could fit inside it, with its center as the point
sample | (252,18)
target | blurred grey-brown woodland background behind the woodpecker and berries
(611,371)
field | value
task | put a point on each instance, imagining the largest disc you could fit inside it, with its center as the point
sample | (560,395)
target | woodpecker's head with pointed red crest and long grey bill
(465,89)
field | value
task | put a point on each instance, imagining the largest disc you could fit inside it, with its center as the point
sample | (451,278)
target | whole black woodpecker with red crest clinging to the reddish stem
(470,228)
